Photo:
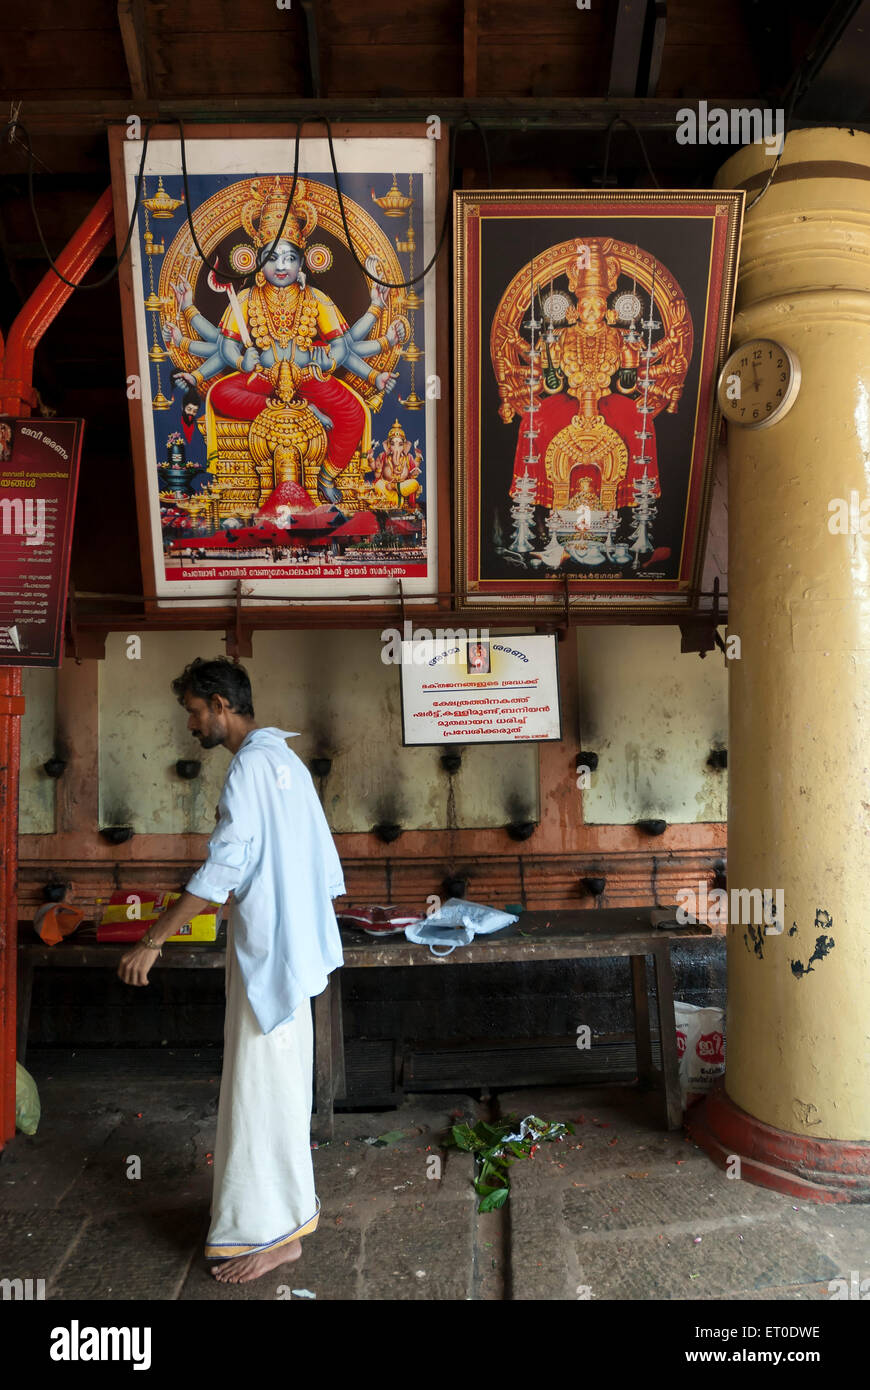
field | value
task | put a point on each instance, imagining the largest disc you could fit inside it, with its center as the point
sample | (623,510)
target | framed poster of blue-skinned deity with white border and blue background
(283,359)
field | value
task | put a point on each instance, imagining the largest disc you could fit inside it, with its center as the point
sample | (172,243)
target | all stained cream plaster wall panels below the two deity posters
(651,714)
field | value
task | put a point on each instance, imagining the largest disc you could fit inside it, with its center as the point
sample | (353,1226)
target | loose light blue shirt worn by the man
(274,851)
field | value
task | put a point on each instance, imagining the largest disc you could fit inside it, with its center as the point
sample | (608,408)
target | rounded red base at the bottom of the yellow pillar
(815,1170)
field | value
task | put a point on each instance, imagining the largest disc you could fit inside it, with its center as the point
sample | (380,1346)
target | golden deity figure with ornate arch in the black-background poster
(589,370)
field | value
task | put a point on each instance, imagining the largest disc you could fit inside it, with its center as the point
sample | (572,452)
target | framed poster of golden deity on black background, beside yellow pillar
(591,327)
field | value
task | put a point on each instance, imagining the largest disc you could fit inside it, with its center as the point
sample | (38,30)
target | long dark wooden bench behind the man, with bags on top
(537,936)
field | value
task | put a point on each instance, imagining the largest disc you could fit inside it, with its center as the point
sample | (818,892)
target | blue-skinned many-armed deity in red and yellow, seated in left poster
(273,358)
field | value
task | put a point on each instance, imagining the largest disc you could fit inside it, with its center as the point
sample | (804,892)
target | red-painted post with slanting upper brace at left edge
(17,400)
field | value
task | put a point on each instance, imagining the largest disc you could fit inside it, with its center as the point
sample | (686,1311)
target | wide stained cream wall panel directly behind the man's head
(334,689)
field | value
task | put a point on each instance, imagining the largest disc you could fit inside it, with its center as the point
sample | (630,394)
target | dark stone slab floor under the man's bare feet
(621,1211)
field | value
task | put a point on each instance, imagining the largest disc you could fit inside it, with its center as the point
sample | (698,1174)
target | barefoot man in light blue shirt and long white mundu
(273,850)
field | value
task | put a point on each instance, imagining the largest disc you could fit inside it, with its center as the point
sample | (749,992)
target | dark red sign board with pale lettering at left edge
(40,464)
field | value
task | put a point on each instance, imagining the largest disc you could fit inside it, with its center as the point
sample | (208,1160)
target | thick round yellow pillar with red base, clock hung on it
(797,1097)
